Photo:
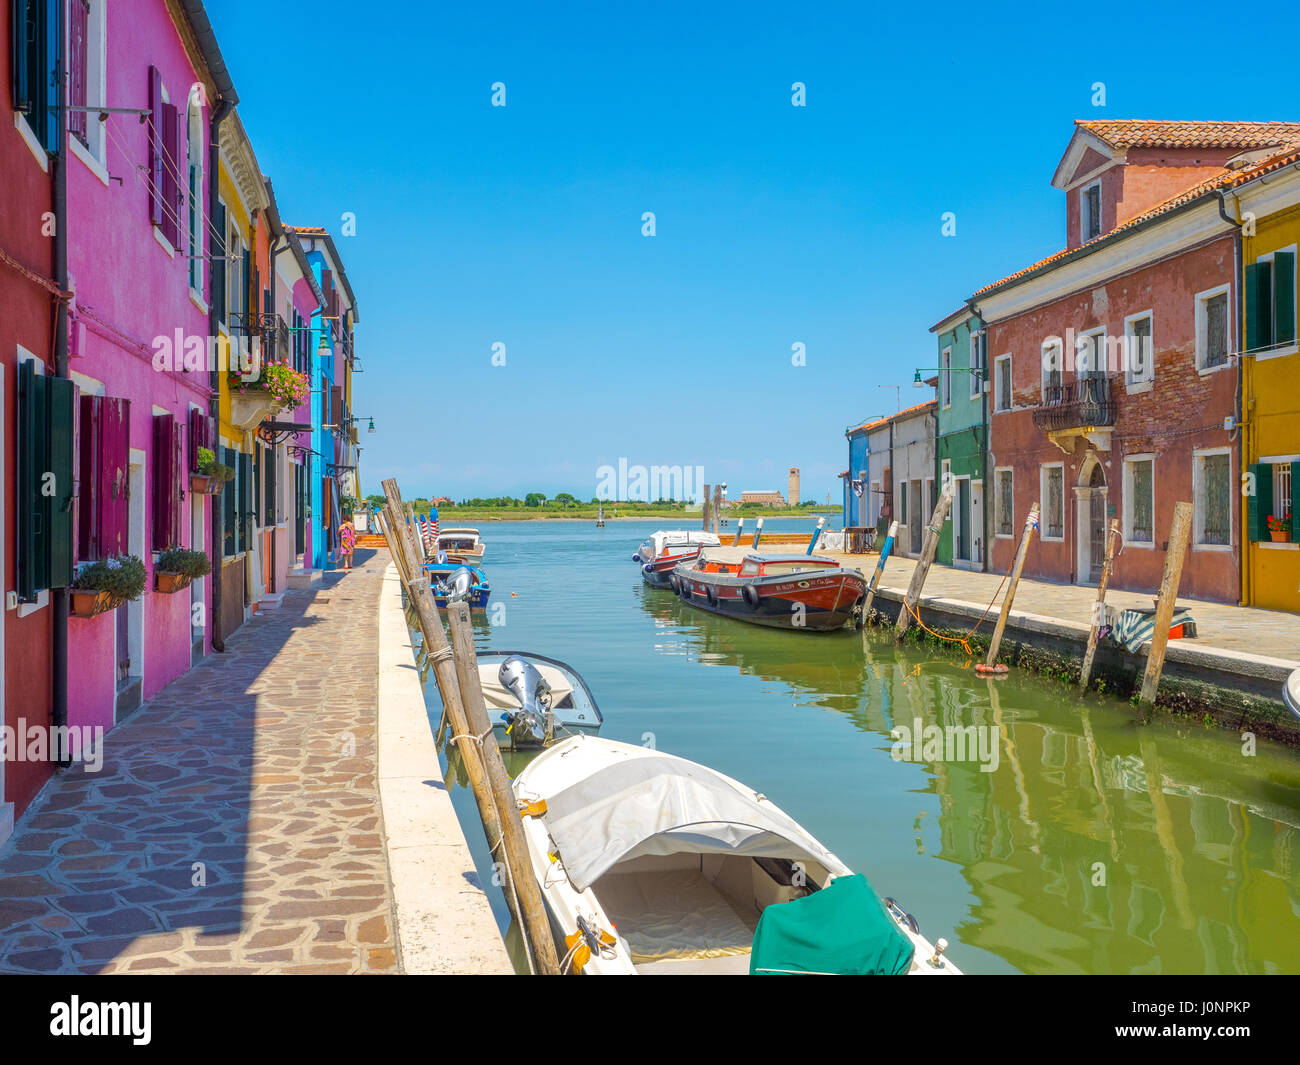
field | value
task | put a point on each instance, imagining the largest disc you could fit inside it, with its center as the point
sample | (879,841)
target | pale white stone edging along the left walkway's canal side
(445,923)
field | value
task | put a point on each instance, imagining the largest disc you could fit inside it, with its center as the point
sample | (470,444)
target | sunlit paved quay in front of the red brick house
(1220,626)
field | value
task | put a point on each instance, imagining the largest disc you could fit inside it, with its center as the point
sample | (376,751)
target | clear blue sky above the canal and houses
(775,224)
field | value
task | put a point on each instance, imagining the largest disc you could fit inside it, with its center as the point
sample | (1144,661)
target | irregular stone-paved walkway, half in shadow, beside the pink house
(236,825)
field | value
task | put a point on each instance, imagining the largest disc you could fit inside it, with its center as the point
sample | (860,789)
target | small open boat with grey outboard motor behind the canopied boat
(534,700)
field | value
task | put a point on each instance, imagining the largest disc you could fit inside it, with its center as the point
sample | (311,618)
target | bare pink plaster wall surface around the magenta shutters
(129,292)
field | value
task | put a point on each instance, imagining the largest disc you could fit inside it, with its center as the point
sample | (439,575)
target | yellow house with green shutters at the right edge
(1268,205)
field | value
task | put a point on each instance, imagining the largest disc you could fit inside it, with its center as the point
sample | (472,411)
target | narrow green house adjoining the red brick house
(961,447)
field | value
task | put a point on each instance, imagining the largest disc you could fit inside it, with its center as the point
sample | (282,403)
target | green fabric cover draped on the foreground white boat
(840,930)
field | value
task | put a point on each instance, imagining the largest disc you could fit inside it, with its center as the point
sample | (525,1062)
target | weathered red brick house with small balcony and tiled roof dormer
(1113,375)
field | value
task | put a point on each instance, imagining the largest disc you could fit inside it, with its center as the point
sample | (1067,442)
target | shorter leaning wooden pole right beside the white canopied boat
(519,865)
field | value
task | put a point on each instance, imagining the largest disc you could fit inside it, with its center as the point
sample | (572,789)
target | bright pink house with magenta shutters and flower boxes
(140,326)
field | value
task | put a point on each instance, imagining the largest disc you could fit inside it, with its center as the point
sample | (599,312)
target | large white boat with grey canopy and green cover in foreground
(655,865)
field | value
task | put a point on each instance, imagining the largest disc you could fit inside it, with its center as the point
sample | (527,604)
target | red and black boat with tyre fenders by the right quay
(801,592)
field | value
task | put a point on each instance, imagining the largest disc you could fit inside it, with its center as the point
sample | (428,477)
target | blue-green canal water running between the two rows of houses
(1061,838)
